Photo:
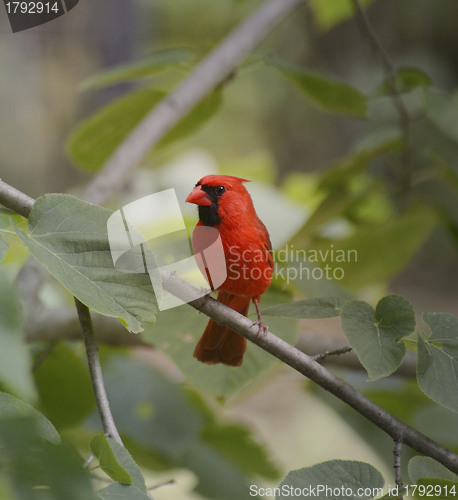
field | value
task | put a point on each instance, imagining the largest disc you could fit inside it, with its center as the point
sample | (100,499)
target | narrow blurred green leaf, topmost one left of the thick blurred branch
(159,61)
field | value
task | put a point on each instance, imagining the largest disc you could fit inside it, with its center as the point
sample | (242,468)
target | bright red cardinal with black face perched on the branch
(226,205)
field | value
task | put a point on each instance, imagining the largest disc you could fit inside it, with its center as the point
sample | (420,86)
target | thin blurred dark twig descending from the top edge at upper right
(390,72)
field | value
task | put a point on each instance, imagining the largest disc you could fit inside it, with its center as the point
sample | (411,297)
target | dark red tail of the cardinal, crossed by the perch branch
(220,344)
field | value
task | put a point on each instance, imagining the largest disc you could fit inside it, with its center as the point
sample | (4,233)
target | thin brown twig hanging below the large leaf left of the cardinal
(95,369)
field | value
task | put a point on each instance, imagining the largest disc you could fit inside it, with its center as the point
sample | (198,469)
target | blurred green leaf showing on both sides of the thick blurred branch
(96,139)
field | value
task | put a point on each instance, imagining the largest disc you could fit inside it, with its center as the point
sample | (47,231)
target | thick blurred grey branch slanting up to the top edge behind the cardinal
(205,77)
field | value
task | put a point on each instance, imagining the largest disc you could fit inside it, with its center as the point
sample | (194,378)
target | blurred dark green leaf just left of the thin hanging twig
(64,387)
